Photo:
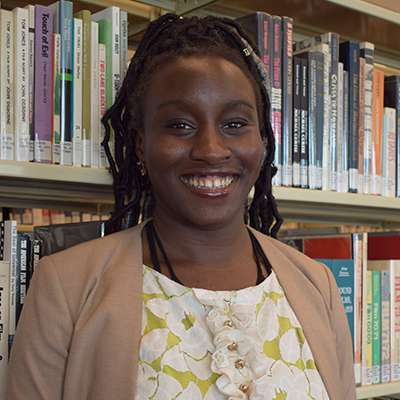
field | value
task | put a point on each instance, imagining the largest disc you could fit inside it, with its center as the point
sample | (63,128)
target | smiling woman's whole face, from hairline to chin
(201,142)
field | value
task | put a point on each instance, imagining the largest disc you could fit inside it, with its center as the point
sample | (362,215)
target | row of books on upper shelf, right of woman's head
(333,112)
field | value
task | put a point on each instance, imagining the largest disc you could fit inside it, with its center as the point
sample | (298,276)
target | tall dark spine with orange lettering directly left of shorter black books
(287,104)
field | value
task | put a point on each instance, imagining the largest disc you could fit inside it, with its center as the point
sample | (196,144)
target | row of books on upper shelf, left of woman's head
(59,72)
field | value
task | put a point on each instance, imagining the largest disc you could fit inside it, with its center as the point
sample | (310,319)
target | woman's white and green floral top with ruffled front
(202,344)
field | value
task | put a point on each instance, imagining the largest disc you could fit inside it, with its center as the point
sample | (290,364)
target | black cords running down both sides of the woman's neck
(153,238)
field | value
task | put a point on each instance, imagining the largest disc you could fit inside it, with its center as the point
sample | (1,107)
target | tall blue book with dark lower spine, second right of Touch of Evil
(62,24)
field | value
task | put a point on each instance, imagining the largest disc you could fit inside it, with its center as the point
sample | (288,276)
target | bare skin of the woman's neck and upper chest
(216,257)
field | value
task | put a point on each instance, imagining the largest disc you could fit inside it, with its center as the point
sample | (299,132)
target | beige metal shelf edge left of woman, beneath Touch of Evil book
(33,185)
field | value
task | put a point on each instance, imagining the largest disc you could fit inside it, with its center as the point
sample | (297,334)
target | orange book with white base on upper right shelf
(377,122)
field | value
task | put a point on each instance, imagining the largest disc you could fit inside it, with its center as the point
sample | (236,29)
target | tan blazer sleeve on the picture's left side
(42,340)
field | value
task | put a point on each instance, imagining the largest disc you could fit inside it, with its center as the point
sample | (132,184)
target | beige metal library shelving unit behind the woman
(377,21)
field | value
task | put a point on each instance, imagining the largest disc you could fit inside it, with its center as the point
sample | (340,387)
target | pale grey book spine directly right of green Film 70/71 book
(385,326)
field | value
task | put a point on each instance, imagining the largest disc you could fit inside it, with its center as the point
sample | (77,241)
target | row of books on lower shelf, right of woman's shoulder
(366,267)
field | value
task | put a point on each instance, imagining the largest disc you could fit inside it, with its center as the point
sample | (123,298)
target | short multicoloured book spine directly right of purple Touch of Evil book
(56,97)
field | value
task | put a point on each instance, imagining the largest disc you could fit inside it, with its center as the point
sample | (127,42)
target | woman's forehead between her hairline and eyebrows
(191,77)
